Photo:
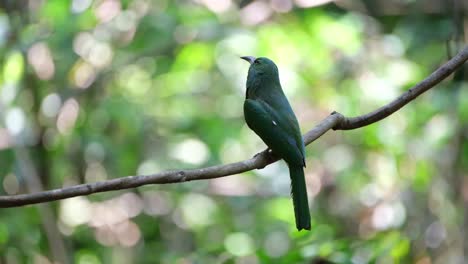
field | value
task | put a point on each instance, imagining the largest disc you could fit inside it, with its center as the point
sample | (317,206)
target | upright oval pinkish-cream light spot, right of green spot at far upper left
(40,58)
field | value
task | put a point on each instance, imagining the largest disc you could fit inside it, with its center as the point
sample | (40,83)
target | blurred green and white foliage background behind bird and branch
(92,90)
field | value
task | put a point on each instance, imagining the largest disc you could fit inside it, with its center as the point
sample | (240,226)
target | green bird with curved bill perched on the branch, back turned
(268,113)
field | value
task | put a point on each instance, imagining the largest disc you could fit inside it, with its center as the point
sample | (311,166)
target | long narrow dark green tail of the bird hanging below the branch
(299,196)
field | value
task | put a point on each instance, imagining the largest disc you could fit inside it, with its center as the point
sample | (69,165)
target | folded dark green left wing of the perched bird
(273,130)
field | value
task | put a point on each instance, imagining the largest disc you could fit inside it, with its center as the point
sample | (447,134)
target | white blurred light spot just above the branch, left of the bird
(192,151)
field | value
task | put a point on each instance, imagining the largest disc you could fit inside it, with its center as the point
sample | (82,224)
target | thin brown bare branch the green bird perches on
(334,121)
